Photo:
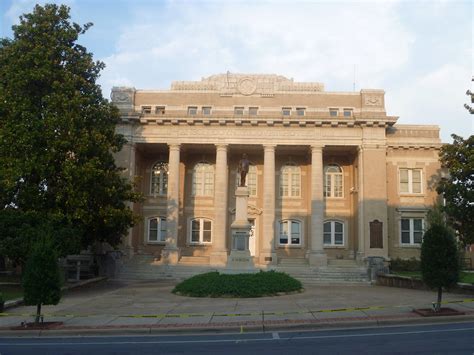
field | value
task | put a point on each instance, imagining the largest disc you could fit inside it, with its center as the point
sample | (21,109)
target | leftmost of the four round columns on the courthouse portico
(170,253)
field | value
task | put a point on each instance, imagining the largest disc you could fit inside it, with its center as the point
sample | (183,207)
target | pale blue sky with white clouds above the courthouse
(419,52)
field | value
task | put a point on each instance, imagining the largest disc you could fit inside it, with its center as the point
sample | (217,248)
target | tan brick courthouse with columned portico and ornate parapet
(332,176)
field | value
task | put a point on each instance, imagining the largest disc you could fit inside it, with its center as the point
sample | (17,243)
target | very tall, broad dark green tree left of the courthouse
(57,132)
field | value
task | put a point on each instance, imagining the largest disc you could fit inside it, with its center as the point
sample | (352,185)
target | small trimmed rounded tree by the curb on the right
(439,259)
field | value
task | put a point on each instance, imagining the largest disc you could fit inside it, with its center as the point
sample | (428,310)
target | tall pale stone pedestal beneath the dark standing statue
(240,257)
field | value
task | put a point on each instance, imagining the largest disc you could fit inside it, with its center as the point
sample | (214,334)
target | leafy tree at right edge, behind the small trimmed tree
(458,187)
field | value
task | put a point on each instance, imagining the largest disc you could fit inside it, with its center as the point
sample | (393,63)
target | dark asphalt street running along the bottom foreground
(451,338)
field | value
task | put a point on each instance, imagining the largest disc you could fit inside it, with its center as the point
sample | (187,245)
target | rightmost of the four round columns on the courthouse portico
(316,254)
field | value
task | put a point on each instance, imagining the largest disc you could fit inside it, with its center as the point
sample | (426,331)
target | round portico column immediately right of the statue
(267,254)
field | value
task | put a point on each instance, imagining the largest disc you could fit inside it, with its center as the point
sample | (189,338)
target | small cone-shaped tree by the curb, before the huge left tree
(41,279)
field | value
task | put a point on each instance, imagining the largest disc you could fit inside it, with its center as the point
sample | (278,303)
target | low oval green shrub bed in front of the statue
(260,284)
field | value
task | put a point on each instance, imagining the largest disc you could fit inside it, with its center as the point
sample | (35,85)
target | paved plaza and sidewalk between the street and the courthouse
(150,307)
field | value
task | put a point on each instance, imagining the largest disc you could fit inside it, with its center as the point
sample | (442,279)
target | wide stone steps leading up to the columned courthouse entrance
(146,267)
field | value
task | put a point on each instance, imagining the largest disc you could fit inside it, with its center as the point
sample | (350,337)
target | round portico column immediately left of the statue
(219,249)
